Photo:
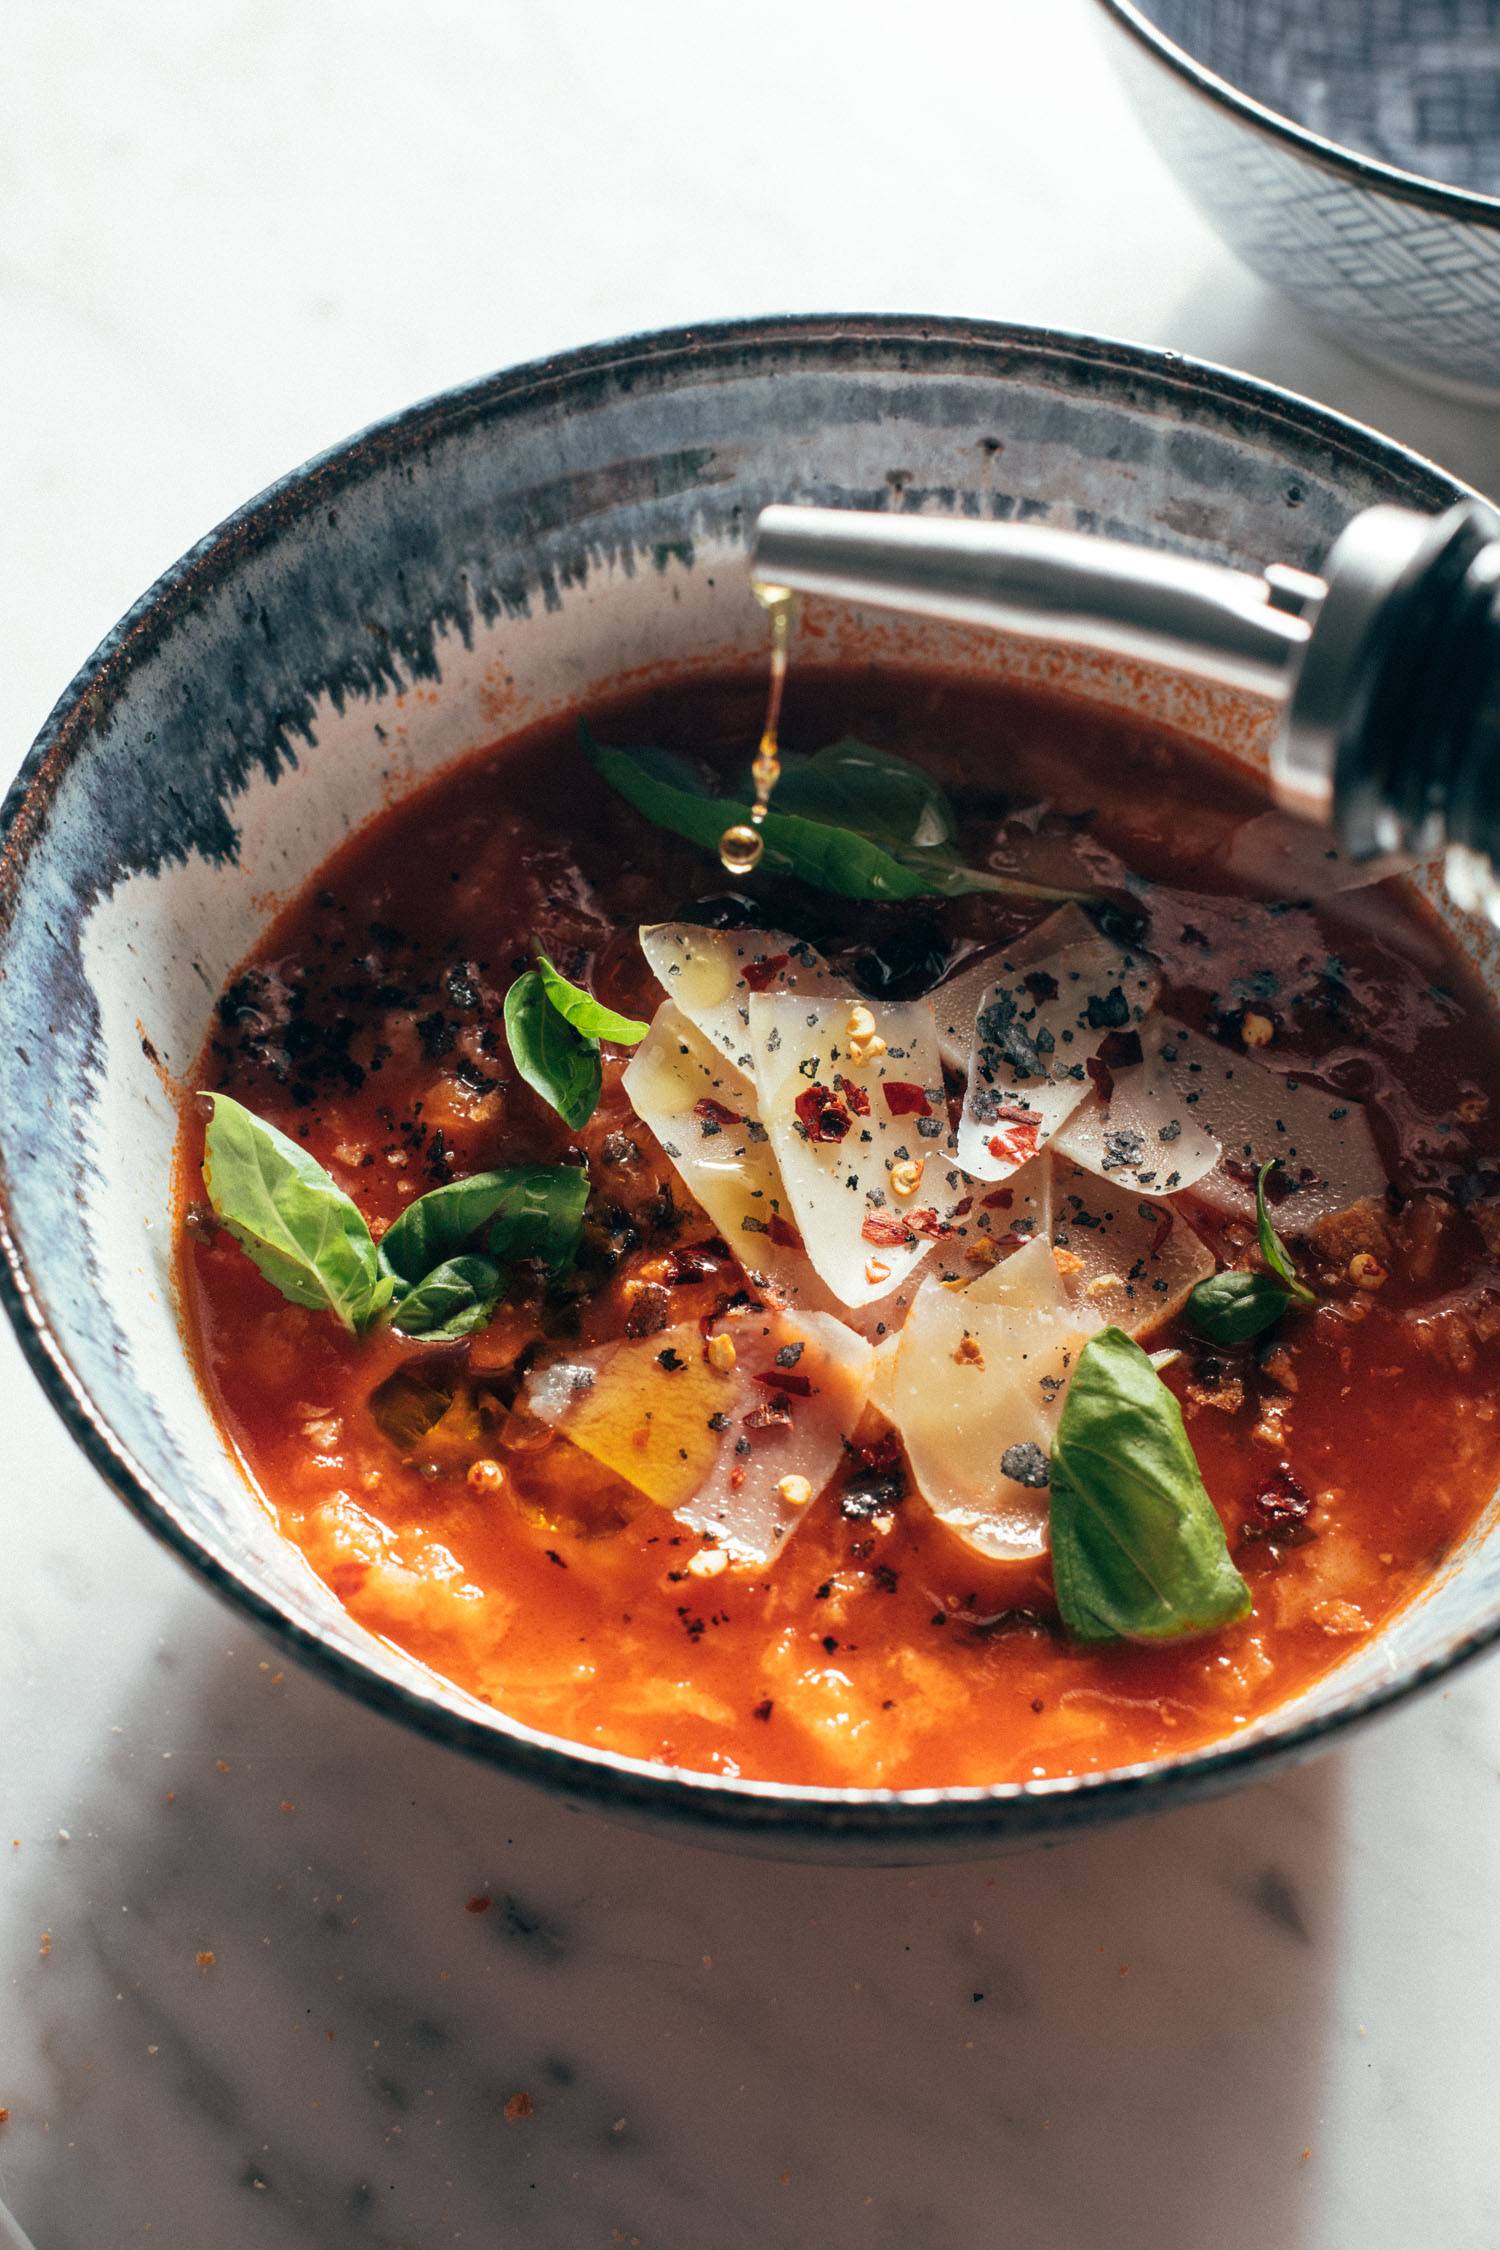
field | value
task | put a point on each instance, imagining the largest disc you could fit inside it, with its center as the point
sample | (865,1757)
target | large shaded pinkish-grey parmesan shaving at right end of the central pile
(1323,1144)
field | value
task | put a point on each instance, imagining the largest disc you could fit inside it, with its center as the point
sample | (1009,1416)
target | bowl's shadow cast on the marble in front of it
(1119,2042)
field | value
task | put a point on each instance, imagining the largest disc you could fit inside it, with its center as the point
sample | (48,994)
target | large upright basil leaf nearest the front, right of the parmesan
(1139,1549)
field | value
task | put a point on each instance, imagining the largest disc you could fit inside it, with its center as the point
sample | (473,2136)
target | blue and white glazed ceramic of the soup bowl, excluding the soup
(464,568)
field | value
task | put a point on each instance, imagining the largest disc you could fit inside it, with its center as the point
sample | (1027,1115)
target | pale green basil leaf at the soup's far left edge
(296,1223)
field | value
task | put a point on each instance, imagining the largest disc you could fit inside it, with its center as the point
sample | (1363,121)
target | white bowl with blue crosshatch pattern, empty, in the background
(1348,152)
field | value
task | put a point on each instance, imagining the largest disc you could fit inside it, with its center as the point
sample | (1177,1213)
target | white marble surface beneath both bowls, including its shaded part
(235,231)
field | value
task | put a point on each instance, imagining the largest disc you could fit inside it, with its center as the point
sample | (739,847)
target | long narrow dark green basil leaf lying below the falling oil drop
(826,856)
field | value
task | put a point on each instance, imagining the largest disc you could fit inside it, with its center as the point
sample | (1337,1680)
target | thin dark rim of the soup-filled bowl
(734,1808)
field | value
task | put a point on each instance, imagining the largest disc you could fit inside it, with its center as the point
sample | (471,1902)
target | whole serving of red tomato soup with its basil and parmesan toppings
(903,1317)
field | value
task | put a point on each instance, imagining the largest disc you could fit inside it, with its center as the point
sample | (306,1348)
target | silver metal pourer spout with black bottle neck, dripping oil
(1386,669)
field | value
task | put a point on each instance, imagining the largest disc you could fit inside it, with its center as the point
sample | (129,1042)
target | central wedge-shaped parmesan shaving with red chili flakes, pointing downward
(847,1108)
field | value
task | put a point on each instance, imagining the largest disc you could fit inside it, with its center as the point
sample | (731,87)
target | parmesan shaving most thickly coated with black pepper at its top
(1038,1027)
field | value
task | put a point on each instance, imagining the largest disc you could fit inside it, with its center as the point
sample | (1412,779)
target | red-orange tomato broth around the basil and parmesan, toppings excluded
(876,1650)
